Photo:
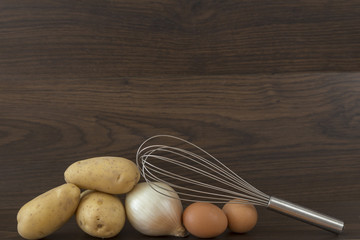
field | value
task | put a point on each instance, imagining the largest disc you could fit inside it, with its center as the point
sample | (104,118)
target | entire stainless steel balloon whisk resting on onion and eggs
(198,176)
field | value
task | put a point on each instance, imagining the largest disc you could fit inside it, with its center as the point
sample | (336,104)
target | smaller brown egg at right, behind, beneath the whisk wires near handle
(242,217)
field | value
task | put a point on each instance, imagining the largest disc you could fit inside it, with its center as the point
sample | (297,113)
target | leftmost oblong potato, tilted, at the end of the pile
(46,213)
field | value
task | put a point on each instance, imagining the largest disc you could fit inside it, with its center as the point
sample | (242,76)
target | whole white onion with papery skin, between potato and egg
(152,213)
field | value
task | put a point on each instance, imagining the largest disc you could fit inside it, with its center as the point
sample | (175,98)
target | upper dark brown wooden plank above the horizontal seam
(123,38)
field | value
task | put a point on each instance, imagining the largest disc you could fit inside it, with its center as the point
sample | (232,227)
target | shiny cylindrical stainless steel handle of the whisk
(306,215)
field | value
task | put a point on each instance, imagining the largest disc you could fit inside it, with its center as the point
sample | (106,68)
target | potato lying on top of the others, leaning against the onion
(114,175)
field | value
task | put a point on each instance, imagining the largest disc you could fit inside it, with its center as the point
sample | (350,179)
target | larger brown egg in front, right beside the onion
(204,220)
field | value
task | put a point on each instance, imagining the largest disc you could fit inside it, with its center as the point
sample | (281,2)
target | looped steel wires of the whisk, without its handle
(217,171)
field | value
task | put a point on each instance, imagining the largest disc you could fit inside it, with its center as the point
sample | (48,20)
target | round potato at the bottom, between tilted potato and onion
(100,214)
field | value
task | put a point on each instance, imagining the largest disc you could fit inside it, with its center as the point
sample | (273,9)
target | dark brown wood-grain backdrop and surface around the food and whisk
(272,88)
